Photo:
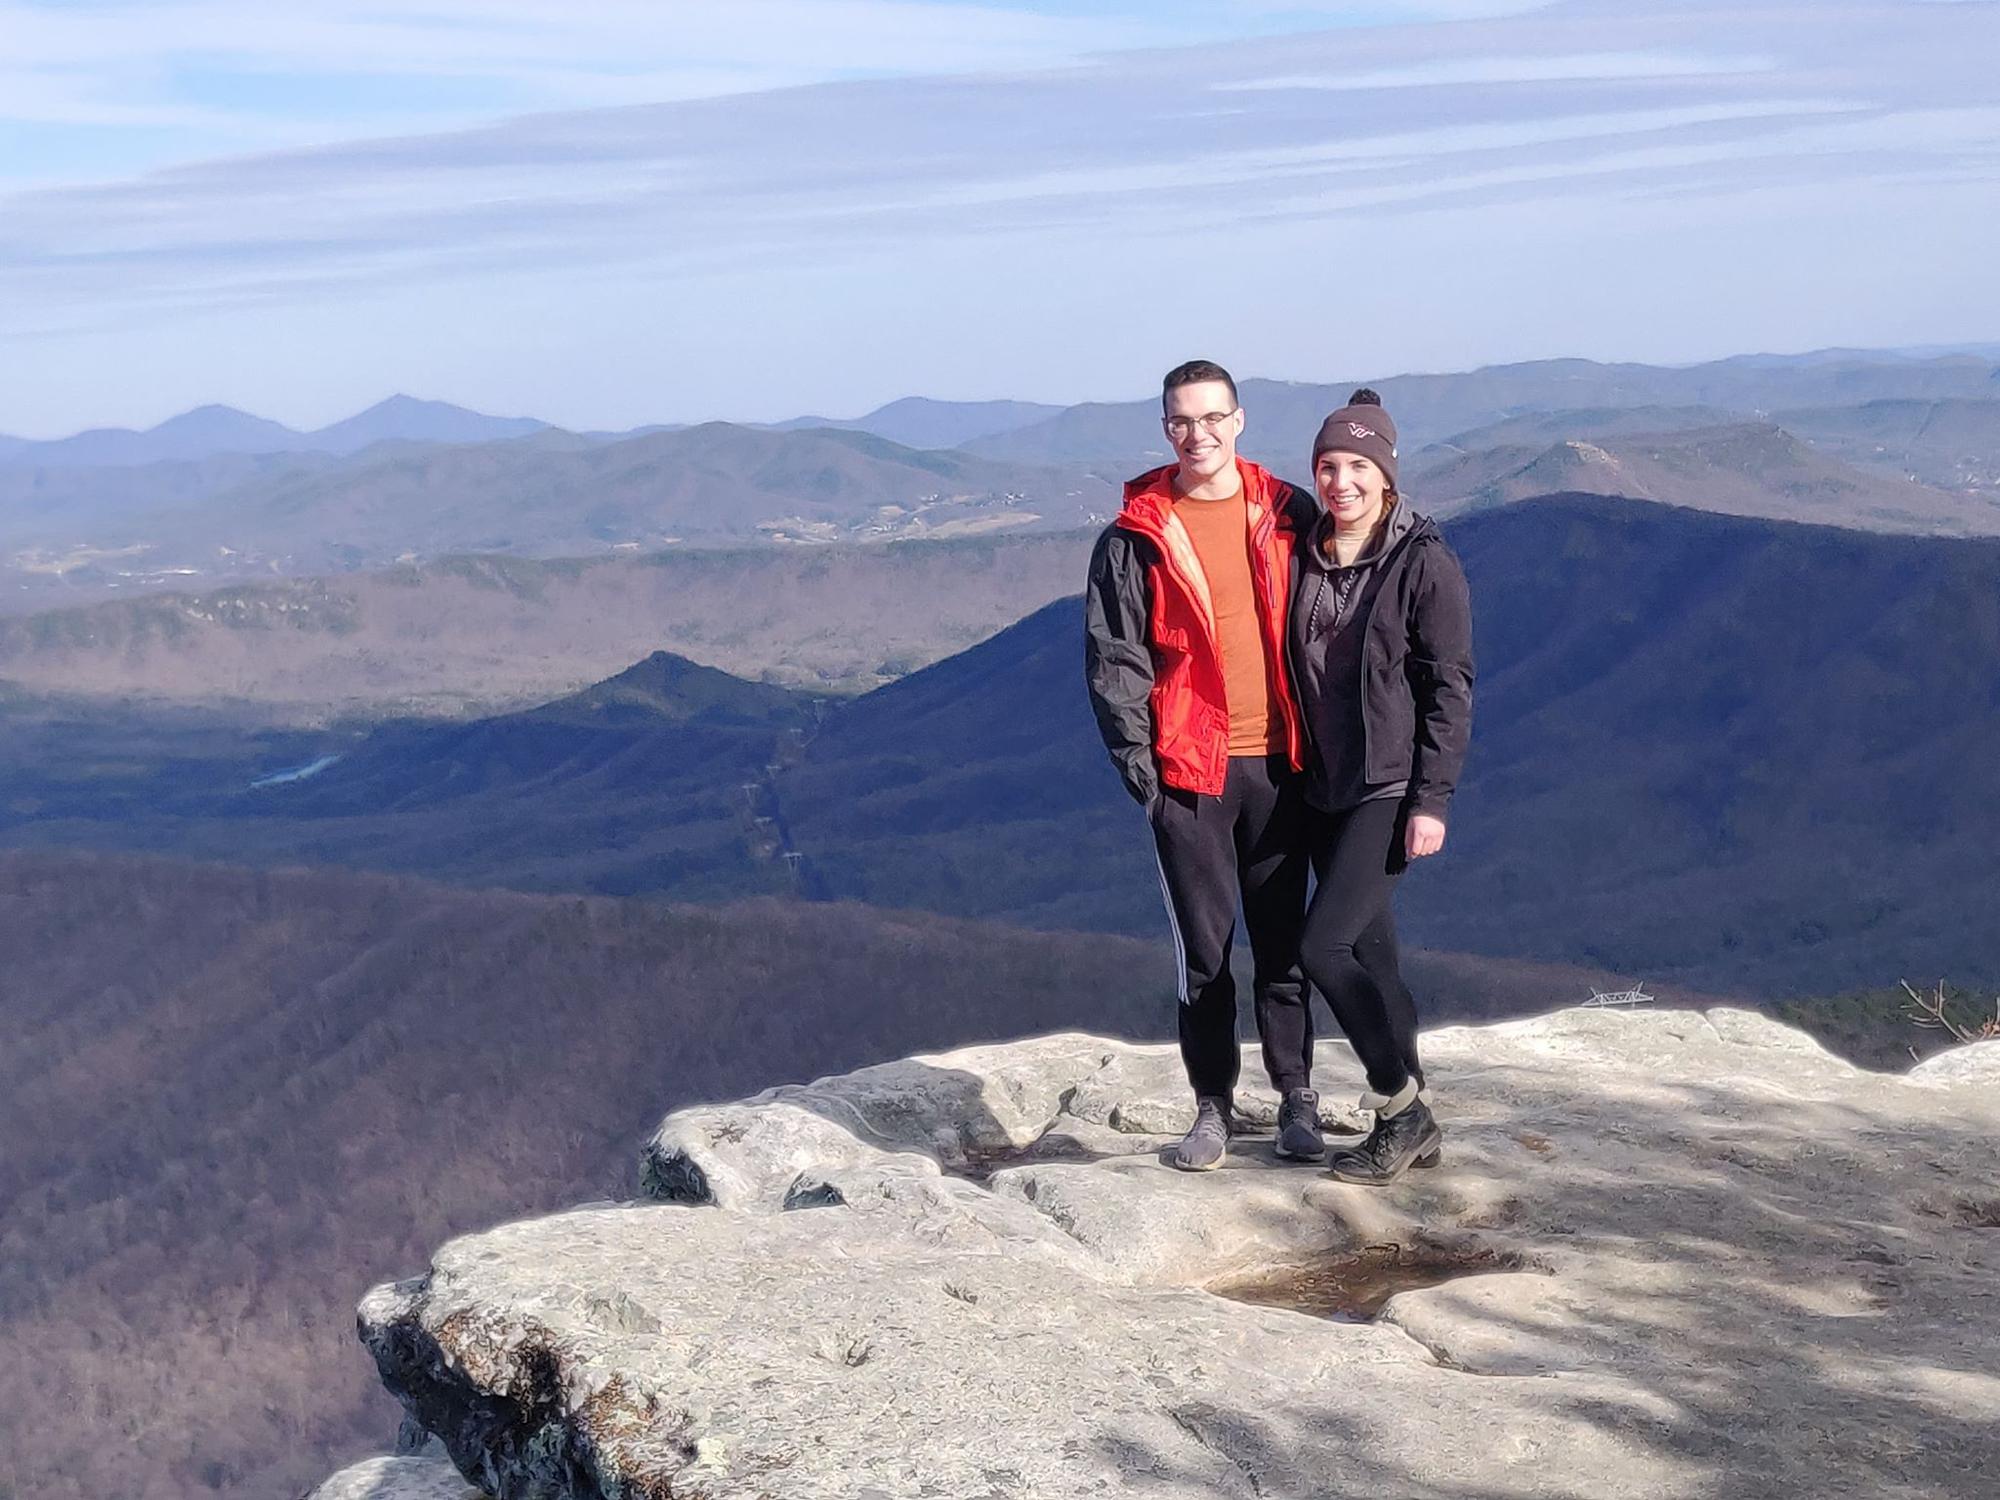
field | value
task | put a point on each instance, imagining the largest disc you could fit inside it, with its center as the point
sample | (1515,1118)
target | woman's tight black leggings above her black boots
(1349,947)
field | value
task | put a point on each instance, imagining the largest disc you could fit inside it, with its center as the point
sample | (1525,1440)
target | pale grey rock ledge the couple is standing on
(1667,1255)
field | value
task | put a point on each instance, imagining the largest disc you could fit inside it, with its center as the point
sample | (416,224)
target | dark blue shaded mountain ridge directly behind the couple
(1737,753)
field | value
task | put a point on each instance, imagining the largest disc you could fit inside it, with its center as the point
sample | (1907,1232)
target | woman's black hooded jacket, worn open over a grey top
(1417,669)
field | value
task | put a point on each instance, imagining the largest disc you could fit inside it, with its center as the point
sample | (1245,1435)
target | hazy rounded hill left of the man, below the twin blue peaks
(715,485)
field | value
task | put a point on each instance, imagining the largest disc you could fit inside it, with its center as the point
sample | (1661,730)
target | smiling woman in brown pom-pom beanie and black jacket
(1383,661)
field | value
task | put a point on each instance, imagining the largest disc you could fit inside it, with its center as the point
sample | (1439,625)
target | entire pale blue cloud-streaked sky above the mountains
(625,211)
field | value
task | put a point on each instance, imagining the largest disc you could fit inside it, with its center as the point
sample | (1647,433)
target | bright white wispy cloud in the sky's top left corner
(239,75)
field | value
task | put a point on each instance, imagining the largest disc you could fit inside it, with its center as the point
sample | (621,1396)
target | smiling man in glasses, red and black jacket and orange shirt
(1185,659)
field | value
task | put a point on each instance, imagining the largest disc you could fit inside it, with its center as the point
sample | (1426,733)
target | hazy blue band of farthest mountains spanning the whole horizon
(413,481)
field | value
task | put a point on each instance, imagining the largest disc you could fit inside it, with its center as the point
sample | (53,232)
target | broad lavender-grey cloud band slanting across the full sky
(1565,101)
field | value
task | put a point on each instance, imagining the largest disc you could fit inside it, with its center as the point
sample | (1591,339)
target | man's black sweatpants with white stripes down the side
(1245,847)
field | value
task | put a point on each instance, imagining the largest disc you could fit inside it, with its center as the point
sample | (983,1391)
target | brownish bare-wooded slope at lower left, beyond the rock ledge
(233,1101)
